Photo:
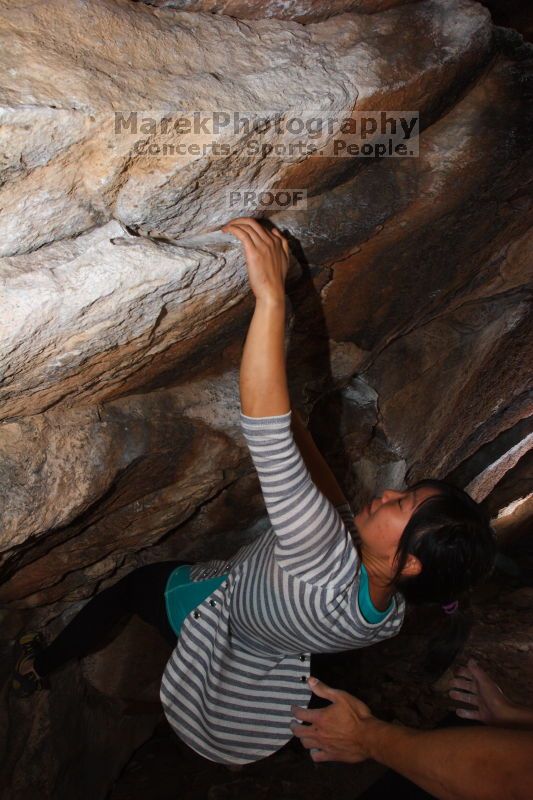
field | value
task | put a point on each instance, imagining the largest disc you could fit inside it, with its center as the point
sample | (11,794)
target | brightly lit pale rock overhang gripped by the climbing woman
(127,298)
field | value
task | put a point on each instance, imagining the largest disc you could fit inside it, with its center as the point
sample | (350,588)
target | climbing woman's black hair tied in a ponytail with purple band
(452,537)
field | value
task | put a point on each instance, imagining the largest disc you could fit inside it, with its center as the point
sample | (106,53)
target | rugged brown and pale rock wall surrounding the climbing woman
(124,307)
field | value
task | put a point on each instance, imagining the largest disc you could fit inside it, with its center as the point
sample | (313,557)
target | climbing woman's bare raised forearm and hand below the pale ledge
(263,377)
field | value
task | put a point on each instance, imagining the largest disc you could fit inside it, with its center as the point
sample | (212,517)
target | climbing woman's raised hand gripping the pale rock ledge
(267,257)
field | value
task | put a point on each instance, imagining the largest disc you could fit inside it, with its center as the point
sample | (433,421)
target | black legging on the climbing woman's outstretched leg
(140,592)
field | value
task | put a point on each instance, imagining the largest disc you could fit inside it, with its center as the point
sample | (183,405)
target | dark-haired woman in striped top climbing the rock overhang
(318,581)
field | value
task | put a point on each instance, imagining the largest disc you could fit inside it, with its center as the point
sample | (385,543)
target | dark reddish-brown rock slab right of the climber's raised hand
(435,321)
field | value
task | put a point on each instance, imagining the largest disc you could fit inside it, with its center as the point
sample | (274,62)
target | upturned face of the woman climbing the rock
(381,523)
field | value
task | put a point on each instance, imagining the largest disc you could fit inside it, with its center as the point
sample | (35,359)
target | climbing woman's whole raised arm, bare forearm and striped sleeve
(312,541)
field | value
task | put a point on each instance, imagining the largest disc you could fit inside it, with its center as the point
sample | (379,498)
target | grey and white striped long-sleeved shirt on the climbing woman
(243,655)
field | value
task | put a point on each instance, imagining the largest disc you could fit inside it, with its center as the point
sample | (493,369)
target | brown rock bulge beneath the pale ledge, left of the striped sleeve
(125,474)
